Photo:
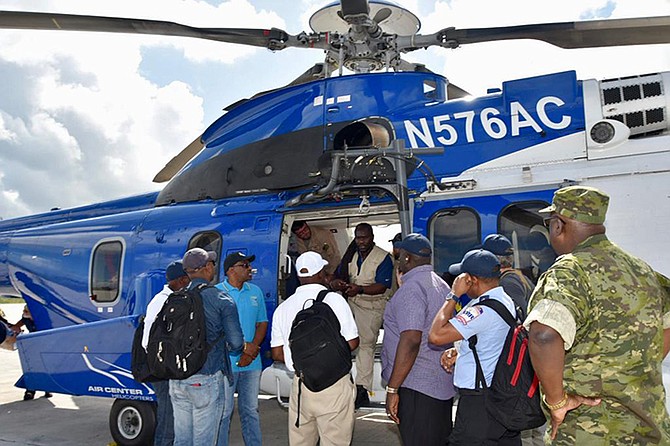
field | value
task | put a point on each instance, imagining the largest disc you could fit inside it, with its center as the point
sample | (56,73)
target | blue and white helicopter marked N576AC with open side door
(393,144)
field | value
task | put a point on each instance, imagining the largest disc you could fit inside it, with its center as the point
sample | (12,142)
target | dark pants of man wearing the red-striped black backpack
(474,426)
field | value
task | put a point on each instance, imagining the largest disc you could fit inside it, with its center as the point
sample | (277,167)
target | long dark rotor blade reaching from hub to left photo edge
(274,39)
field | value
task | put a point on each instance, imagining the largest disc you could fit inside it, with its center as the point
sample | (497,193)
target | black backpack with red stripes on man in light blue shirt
(513,399)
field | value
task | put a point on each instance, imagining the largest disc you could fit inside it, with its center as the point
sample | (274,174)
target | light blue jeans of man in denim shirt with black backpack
(197,403)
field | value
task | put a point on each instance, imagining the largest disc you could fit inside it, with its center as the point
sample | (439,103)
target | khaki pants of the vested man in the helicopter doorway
(368,314)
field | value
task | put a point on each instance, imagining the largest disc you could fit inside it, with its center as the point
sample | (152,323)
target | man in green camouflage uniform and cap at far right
(597,320)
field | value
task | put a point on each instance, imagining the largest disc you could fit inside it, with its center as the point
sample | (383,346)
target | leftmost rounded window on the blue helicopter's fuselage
(106,271)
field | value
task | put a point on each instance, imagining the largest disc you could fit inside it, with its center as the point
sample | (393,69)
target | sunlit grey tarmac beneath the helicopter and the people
(65,420)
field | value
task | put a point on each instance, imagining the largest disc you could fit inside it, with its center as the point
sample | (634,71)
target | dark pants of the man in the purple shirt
(424,421)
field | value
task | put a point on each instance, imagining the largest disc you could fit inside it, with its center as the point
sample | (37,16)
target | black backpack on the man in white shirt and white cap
(321,355)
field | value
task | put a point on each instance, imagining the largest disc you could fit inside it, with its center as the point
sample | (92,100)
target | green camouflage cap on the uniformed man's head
(581,203)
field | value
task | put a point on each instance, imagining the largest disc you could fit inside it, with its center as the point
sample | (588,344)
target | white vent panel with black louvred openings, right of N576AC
(637,101)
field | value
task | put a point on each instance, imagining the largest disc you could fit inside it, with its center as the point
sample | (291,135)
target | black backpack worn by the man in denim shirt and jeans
(177,345)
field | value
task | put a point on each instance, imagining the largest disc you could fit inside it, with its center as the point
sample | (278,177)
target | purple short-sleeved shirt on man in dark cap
(413,307)
